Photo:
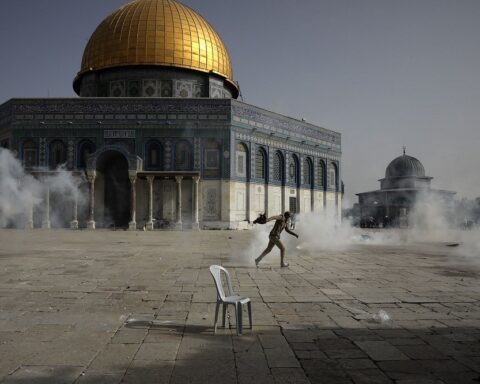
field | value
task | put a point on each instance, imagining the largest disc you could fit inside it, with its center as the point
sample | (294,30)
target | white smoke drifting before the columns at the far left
(20,193)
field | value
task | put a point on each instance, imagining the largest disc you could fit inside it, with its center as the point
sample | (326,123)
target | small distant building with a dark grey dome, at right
(401,188)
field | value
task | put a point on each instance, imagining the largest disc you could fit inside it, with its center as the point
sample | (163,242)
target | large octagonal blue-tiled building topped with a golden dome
(161,137)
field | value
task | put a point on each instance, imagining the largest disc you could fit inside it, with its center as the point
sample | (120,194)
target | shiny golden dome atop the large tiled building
(157,32)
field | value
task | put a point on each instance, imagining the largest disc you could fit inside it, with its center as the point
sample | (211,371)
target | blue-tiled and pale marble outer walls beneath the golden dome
(210,129)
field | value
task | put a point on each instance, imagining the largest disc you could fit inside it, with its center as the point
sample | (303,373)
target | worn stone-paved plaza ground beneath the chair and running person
(65,298)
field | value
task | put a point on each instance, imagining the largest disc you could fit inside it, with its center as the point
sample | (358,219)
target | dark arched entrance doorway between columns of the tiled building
(113,181)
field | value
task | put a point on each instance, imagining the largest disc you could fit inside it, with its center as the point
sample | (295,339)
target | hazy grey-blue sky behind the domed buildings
(384,73)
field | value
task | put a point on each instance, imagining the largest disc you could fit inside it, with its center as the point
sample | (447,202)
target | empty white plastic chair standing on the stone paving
(229,297)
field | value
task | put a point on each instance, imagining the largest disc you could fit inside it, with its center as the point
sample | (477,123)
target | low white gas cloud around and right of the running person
(430,221)
